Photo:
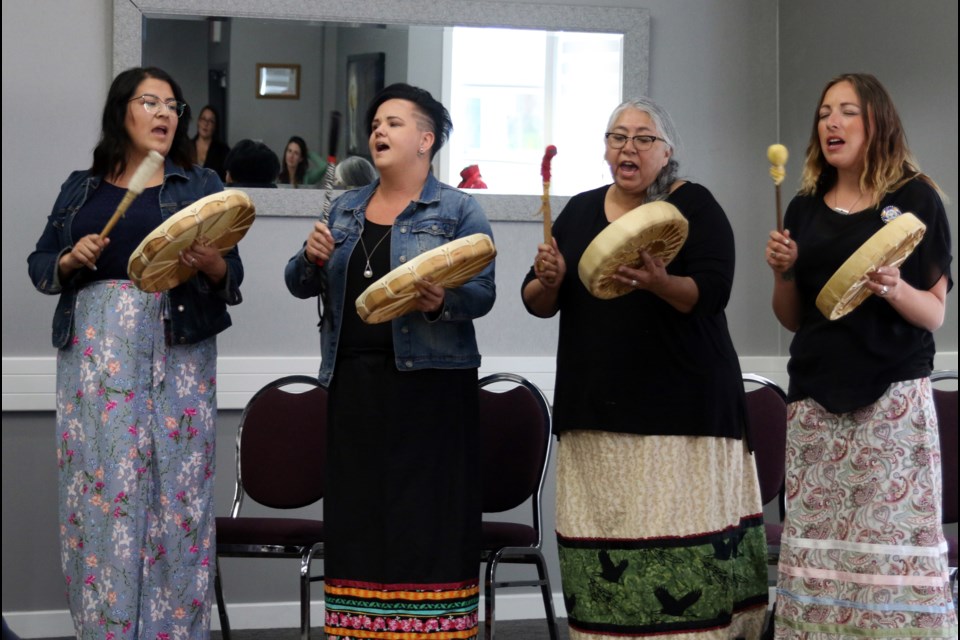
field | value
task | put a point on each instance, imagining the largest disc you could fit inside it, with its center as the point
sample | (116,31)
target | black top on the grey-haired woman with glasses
(634,364)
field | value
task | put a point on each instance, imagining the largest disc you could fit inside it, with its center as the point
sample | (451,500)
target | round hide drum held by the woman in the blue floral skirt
(221,218)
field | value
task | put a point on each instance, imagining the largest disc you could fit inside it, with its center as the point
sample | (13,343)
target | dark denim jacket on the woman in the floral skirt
(198,309)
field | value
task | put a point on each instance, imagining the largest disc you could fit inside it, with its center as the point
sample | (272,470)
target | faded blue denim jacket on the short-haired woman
(440,215)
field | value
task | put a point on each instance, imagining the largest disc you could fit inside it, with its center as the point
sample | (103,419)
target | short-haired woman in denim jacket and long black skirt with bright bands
(402,501)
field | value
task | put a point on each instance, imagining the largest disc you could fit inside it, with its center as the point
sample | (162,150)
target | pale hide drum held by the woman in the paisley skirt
(888,247)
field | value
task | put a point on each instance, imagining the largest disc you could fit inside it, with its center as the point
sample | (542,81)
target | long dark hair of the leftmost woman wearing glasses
(110,154)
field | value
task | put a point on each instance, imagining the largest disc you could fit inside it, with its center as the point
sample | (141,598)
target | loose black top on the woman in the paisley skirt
(848,363)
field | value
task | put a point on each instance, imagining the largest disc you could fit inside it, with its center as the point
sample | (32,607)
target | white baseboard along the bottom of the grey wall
(273,615)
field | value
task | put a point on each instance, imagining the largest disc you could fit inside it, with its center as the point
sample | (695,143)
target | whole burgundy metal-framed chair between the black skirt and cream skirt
(515,442)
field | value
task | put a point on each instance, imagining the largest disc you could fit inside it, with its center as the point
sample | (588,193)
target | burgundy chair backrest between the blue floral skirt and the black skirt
(281,445)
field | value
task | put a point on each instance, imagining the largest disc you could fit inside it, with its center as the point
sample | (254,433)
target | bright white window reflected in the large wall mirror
(507,101)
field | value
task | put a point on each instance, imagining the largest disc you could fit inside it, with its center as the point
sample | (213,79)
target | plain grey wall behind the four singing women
(716,66)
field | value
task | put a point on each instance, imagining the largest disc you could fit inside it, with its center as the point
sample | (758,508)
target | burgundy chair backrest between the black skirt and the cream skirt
(515,441)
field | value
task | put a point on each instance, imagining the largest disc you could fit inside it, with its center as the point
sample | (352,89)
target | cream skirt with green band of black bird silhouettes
(660,536)
